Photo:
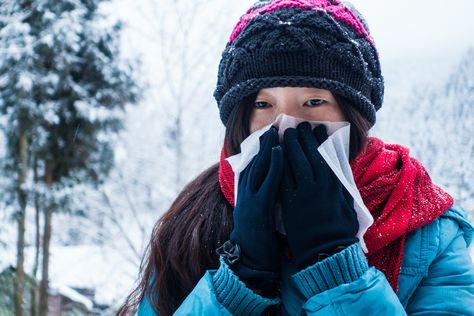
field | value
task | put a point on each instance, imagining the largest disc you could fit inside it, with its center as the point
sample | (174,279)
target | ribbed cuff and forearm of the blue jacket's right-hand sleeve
(344,284)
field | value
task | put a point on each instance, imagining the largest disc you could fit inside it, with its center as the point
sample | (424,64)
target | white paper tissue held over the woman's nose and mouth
(335,151)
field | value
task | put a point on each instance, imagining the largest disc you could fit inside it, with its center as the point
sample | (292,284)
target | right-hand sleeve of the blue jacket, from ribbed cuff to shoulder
(343,284)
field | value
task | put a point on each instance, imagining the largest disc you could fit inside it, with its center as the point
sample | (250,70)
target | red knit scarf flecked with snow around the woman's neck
(398,192)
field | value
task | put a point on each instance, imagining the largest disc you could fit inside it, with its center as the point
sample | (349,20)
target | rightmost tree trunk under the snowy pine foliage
(48,209)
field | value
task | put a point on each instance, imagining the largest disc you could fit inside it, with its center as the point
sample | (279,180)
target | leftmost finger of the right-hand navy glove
(300,166)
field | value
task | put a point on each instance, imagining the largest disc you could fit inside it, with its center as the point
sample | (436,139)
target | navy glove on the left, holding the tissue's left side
(254,225)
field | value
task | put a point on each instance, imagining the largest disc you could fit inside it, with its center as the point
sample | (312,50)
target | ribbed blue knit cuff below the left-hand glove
(235,296)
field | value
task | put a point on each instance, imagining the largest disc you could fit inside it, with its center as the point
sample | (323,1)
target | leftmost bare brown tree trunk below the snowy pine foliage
(22,200)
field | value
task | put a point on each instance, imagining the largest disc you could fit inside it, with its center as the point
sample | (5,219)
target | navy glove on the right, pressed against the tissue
(317,210)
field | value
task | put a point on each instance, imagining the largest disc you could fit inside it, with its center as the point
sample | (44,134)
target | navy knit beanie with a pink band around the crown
(323,44)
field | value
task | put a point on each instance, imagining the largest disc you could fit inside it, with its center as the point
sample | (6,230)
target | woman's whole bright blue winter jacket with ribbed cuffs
(436,278)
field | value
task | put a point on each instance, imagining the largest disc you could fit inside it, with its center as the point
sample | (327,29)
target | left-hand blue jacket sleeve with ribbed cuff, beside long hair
(218,292)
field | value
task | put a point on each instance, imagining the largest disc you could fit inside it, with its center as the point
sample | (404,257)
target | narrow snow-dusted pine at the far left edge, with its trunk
(16,80)
